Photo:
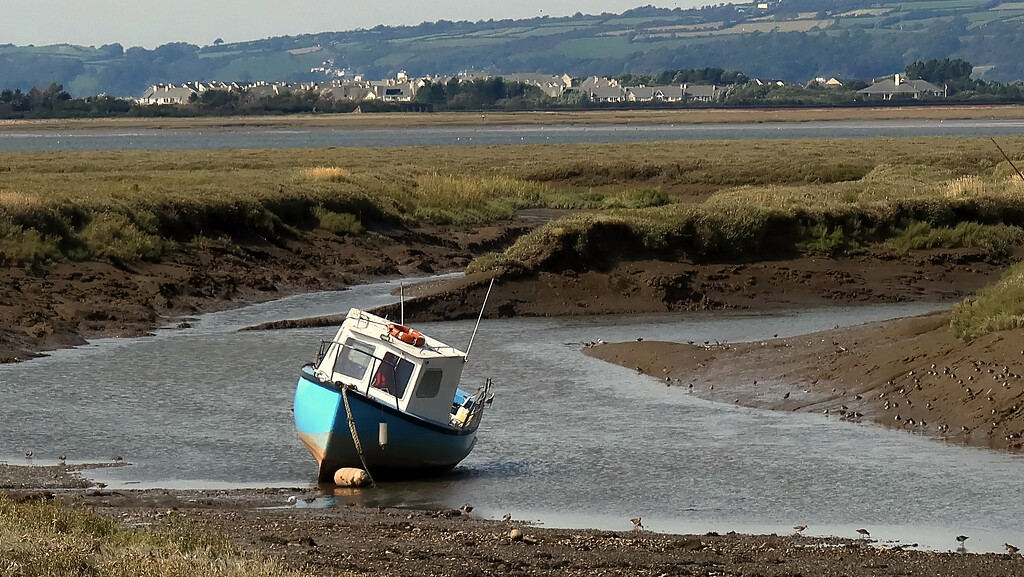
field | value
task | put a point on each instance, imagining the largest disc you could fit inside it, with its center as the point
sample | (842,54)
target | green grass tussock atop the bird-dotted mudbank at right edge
(996,308)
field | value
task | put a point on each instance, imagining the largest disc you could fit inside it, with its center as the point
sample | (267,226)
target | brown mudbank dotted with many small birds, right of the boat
(910,375)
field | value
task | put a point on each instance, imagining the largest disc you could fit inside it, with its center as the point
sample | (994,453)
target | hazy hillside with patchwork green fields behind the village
(794,40)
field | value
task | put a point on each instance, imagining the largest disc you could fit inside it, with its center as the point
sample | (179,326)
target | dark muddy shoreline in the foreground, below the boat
(345,538)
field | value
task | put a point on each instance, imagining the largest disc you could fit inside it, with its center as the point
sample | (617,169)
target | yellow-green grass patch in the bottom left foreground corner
(54,541)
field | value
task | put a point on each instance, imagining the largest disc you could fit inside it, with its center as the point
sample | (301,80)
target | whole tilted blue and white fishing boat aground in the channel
(386,398)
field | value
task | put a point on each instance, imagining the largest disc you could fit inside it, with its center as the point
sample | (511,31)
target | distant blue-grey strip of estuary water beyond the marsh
(46,141)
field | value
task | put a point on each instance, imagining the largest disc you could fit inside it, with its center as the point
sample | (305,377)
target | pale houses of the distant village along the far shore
(595,90)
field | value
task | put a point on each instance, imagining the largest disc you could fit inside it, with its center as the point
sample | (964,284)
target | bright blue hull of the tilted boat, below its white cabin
(415,447)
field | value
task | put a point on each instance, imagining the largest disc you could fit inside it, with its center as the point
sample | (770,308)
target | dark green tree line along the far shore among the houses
(497,94)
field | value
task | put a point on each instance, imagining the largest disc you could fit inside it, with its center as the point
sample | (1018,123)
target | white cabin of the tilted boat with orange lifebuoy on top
(412,373)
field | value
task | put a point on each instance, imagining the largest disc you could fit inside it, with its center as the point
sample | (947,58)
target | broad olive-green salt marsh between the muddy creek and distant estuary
(703,201)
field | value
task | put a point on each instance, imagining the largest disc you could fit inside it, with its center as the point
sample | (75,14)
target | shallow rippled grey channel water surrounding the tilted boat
(570,441)
